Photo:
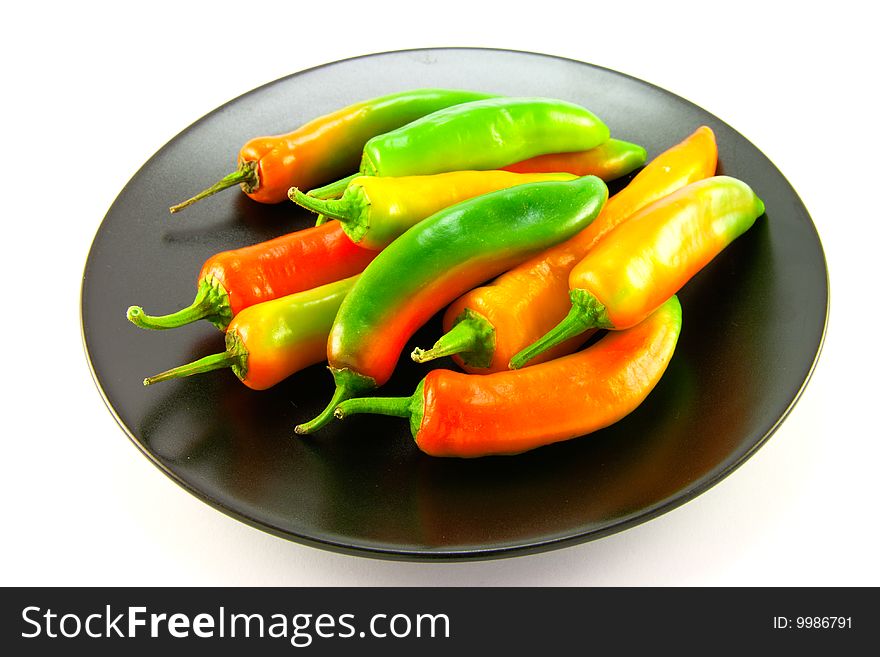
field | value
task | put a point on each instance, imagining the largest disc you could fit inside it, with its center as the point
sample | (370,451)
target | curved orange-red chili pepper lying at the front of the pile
(467,415)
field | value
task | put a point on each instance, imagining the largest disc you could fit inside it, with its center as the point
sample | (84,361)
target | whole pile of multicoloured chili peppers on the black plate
(494,209)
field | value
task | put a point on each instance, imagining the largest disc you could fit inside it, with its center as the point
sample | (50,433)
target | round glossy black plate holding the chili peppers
(754,321)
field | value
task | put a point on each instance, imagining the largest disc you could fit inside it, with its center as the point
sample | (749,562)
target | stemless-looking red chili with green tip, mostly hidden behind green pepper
(608,161)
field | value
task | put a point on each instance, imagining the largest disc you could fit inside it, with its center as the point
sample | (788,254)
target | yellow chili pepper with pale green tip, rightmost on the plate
(650,257)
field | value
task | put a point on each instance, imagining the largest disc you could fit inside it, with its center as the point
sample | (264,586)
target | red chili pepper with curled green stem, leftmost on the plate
(234,280)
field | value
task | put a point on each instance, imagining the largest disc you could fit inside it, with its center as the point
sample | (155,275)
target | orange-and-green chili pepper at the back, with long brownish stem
(327,147)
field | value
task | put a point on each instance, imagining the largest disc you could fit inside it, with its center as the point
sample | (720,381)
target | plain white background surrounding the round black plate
(92,90)
